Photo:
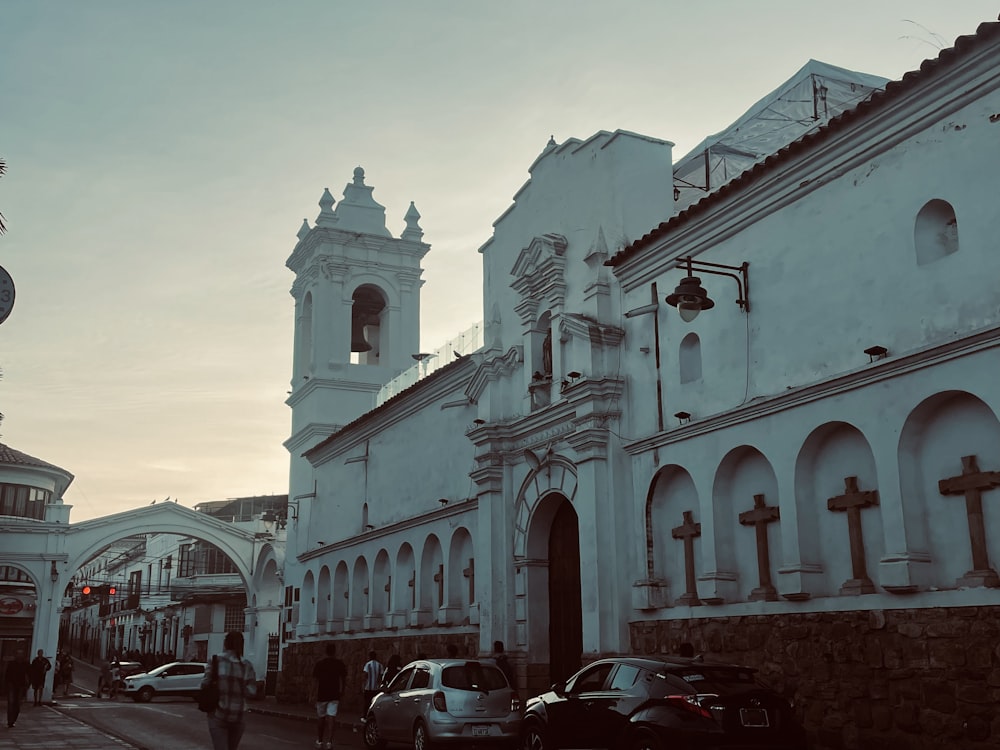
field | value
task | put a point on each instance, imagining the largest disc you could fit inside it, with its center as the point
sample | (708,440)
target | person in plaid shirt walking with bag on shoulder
(236,682)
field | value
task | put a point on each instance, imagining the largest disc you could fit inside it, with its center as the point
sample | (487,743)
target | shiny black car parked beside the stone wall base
(639,703)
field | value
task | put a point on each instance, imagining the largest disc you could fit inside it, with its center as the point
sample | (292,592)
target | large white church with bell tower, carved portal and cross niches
(764,422)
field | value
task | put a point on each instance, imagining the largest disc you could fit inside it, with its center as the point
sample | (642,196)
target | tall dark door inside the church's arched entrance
(565,612)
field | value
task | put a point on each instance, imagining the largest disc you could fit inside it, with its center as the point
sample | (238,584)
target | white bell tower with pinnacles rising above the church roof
(357,312)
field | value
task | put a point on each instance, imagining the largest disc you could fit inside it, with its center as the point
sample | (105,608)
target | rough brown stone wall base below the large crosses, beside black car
(896,679)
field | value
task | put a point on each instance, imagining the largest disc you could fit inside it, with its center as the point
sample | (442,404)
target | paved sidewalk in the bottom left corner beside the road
(45,728)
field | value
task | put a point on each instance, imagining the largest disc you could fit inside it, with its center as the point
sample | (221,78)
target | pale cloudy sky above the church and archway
(162,155)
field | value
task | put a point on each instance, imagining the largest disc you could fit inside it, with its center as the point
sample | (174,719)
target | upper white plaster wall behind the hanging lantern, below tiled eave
(835,272)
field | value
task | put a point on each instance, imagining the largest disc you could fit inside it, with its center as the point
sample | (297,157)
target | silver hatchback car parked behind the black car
(439,701)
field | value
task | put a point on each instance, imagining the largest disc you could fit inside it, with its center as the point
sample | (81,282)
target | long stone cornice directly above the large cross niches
(878,372)
